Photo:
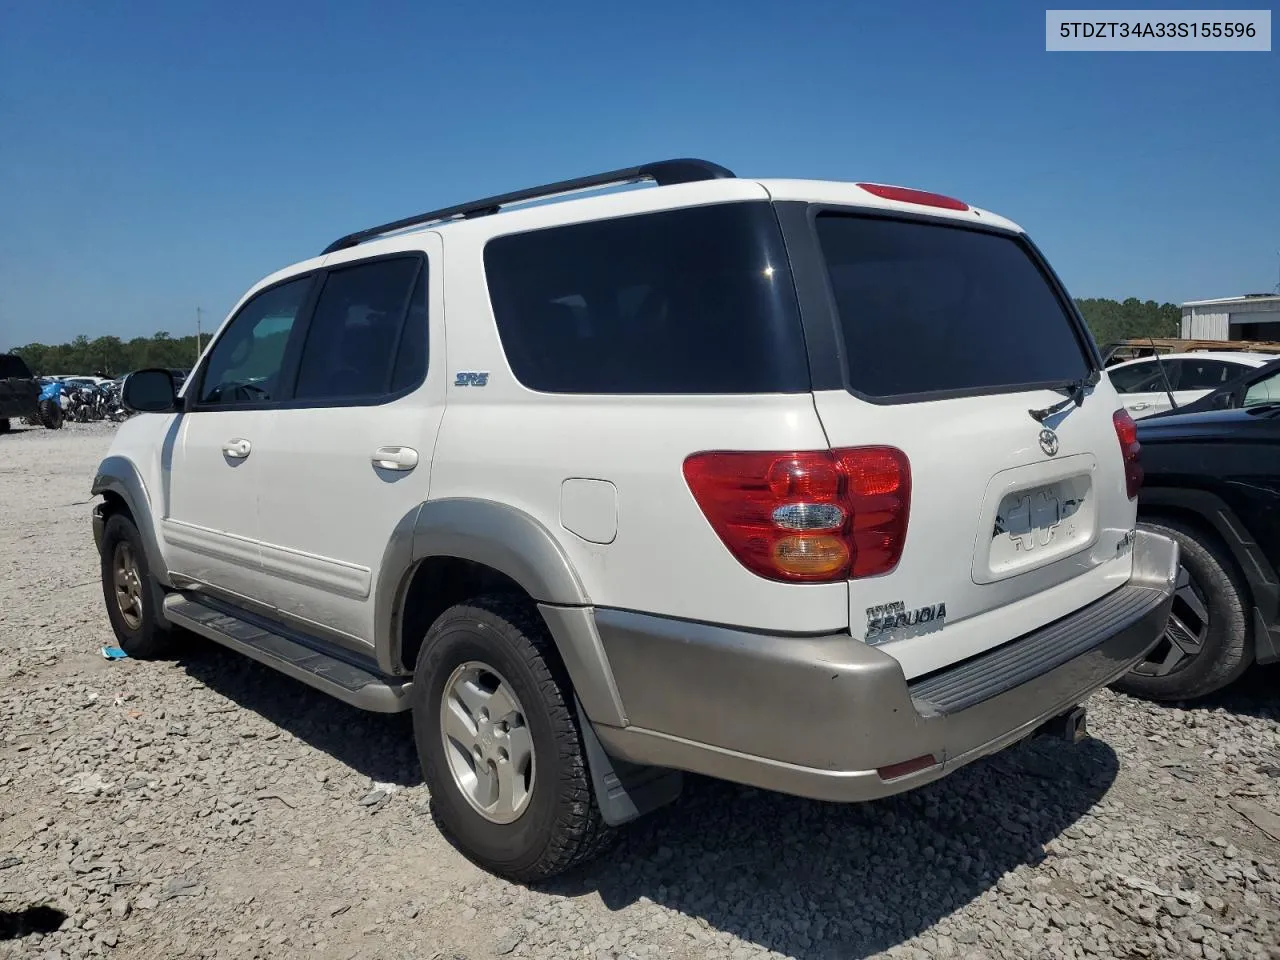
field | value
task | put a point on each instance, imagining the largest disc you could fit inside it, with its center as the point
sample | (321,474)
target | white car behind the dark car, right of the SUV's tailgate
(1142,383)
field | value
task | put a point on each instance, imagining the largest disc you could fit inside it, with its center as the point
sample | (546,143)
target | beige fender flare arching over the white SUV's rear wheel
(516,545)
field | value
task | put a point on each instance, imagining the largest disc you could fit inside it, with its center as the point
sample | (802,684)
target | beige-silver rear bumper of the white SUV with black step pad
(825,716)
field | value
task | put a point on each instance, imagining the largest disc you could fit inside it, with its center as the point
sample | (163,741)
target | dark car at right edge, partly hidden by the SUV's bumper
(1212,484)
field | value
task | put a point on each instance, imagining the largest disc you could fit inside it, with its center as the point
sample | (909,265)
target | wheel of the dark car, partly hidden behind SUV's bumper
(1213,606)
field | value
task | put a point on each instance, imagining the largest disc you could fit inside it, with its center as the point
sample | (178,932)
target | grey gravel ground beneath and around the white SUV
(207,807)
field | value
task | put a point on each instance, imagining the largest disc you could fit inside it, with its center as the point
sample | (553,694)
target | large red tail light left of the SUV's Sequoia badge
(813,516)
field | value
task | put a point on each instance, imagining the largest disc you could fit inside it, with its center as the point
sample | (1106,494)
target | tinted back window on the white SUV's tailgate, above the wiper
(929,309)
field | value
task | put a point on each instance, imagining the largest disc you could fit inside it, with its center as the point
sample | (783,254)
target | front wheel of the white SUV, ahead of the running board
(139,629)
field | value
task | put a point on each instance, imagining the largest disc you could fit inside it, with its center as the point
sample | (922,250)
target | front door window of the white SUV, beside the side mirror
(245,364)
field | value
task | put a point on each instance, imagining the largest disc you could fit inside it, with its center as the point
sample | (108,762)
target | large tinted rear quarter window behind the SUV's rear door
(684,301)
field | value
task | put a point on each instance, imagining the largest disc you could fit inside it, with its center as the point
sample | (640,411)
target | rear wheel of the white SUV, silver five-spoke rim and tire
(500,742)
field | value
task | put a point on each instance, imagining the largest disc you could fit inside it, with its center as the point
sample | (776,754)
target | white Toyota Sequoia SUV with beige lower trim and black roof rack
(808,486)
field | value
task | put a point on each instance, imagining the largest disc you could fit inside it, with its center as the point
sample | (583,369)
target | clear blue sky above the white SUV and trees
(163,157)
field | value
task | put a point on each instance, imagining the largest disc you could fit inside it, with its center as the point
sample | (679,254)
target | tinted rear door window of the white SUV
(356,331)
